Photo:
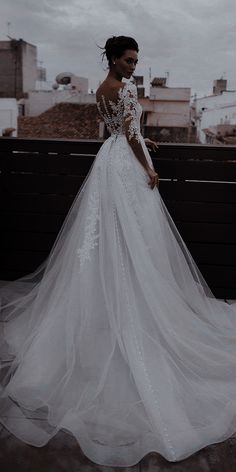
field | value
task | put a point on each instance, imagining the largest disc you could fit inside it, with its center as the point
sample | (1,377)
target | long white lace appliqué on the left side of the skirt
(91,235)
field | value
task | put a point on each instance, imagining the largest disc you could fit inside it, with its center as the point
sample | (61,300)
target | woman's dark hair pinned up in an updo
(117,45)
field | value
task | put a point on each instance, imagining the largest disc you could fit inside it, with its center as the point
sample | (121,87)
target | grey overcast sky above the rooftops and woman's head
(194,40)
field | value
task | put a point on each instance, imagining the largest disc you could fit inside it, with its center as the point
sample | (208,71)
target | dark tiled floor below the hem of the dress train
(63,454)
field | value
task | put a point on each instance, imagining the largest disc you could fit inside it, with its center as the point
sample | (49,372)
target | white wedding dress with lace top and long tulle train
(117,337)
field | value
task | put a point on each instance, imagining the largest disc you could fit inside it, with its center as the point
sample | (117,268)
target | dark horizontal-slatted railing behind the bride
(40,178)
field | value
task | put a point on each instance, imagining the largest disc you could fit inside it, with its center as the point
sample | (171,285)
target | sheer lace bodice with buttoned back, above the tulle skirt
(125,108)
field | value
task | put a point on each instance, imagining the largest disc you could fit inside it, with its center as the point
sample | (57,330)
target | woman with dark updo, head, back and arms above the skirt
(121,65)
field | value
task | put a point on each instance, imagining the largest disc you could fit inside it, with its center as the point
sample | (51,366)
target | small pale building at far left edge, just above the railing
(8,114)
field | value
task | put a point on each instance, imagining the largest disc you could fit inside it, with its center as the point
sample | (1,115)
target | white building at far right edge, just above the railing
(214,111)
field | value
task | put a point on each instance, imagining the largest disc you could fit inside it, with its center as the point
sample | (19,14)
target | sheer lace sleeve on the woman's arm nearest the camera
(131,123)
